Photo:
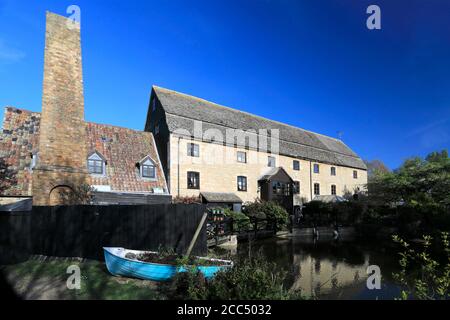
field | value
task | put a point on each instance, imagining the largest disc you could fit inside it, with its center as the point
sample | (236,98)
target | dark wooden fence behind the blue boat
(82,231)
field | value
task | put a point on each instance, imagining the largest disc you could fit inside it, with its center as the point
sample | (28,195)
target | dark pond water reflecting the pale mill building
(327,268)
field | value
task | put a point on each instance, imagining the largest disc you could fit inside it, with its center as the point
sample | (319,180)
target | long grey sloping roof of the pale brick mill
(182,110)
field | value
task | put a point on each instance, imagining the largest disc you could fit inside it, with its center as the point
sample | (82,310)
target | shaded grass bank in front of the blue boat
(96,281)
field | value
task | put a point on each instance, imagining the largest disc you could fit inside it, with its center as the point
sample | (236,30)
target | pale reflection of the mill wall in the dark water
(316,275)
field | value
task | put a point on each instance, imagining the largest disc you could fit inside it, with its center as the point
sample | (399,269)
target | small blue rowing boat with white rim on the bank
(120,265)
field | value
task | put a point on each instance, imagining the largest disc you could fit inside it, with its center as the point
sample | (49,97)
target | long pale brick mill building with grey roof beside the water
(316,164)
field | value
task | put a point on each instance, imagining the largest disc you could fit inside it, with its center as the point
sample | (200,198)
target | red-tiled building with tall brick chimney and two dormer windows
(46,155)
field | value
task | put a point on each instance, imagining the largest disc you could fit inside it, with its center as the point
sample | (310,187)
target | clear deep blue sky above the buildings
(312,64)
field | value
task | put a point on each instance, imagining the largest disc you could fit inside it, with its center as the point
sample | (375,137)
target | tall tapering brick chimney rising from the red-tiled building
(61,162)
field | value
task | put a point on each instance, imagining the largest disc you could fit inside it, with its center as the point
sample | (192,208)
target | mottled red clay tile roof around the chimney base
(122,149)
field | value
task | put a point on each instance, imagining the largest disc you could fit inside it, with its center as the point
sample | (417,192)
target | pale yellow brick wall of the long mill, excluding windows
(219,169)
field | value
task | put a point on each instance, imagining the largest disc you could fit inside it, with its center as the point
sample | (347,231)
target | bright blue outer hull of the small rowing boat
(120,266)
